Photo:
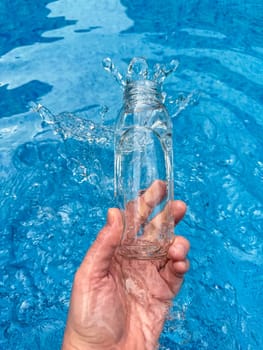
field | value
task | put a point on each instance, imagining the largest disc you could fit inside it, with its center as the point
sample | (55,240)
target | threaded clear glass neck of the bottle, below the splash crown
(142,94)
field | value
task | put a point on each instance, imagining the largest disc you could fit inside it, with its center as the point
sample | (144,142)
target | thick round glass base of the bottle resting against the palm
(143,250)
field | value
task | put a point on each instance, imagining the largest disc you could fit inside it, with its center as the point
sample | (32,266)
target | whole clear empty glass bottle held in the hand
(144,172)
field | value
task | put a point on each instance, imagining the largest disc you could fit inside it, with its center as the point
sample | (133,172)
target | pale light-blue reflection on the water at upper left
(75,79)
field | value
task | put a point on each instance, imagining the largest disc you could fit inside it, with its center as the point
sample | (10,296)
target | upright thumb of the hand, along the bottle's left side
(98,258)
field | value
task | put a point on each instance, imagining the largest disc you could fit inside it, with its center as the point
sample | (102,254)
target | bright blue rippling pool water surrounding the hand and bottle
(56,180)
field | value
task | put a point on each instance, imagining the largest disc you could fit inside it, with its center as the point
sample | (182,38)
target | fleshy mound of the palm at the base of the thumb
(100,302)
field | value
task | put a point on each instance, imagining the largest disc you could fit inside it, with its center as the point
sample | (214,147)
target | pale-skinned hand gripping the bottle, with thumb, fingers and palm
(119,303)
